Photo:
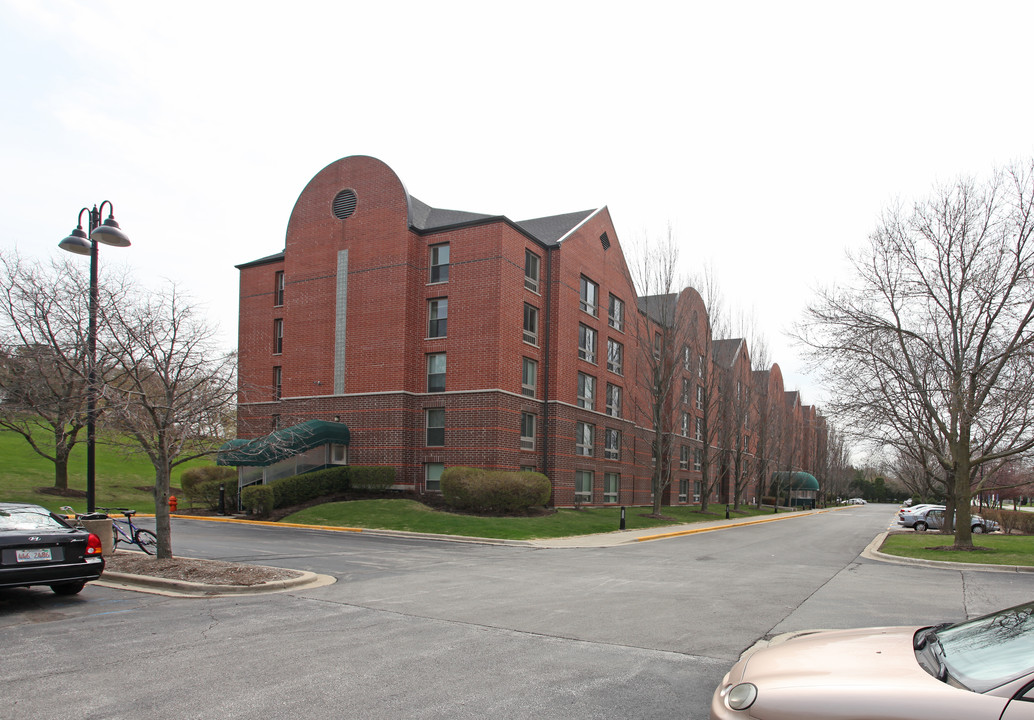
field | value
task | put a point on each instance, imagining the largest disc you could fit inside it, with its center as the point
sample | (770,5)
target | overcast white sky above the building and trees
(769,135)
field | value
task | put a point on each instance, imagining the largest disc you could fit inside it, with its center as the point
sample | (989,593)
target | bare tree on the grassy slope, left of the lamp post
(44,362)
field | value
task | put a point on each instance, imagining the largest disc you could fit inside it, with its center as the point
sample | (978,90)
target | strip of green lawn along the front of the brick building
(413,517)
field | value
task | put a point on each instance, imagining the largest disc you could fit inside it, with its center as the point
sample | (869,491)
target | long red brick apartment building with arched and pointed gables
(443,338)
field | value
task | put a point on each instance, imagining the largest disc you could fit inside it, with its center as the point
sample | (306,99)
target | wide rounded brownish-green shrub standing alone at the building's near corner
(494,492)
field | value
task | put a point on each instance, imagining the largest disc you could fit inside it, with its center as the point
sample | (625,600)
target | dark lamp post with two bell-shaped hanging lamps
(78,243)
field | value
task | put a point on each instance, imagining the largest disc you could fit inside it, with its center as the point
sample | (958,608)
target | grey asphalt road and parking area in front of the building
(428,629)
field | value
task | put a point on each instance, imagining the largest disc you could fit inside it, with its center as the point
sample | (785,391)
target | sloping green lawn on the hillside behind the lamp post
(123,479)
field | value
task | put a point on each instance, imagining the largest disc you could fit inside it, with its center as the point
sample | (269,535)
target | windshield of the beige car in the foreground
(985,653)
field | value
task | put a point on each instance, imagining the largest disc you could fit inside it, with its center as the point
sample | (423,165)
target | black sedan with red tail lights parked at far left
(40,549)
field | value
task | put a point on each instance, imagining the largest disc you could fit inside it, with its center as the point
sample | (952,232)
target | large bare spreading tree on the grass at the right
(933,346)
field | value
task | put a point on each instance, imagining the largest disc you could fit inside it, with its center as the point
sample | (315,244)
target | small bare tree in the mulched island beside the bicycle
(175,389)
